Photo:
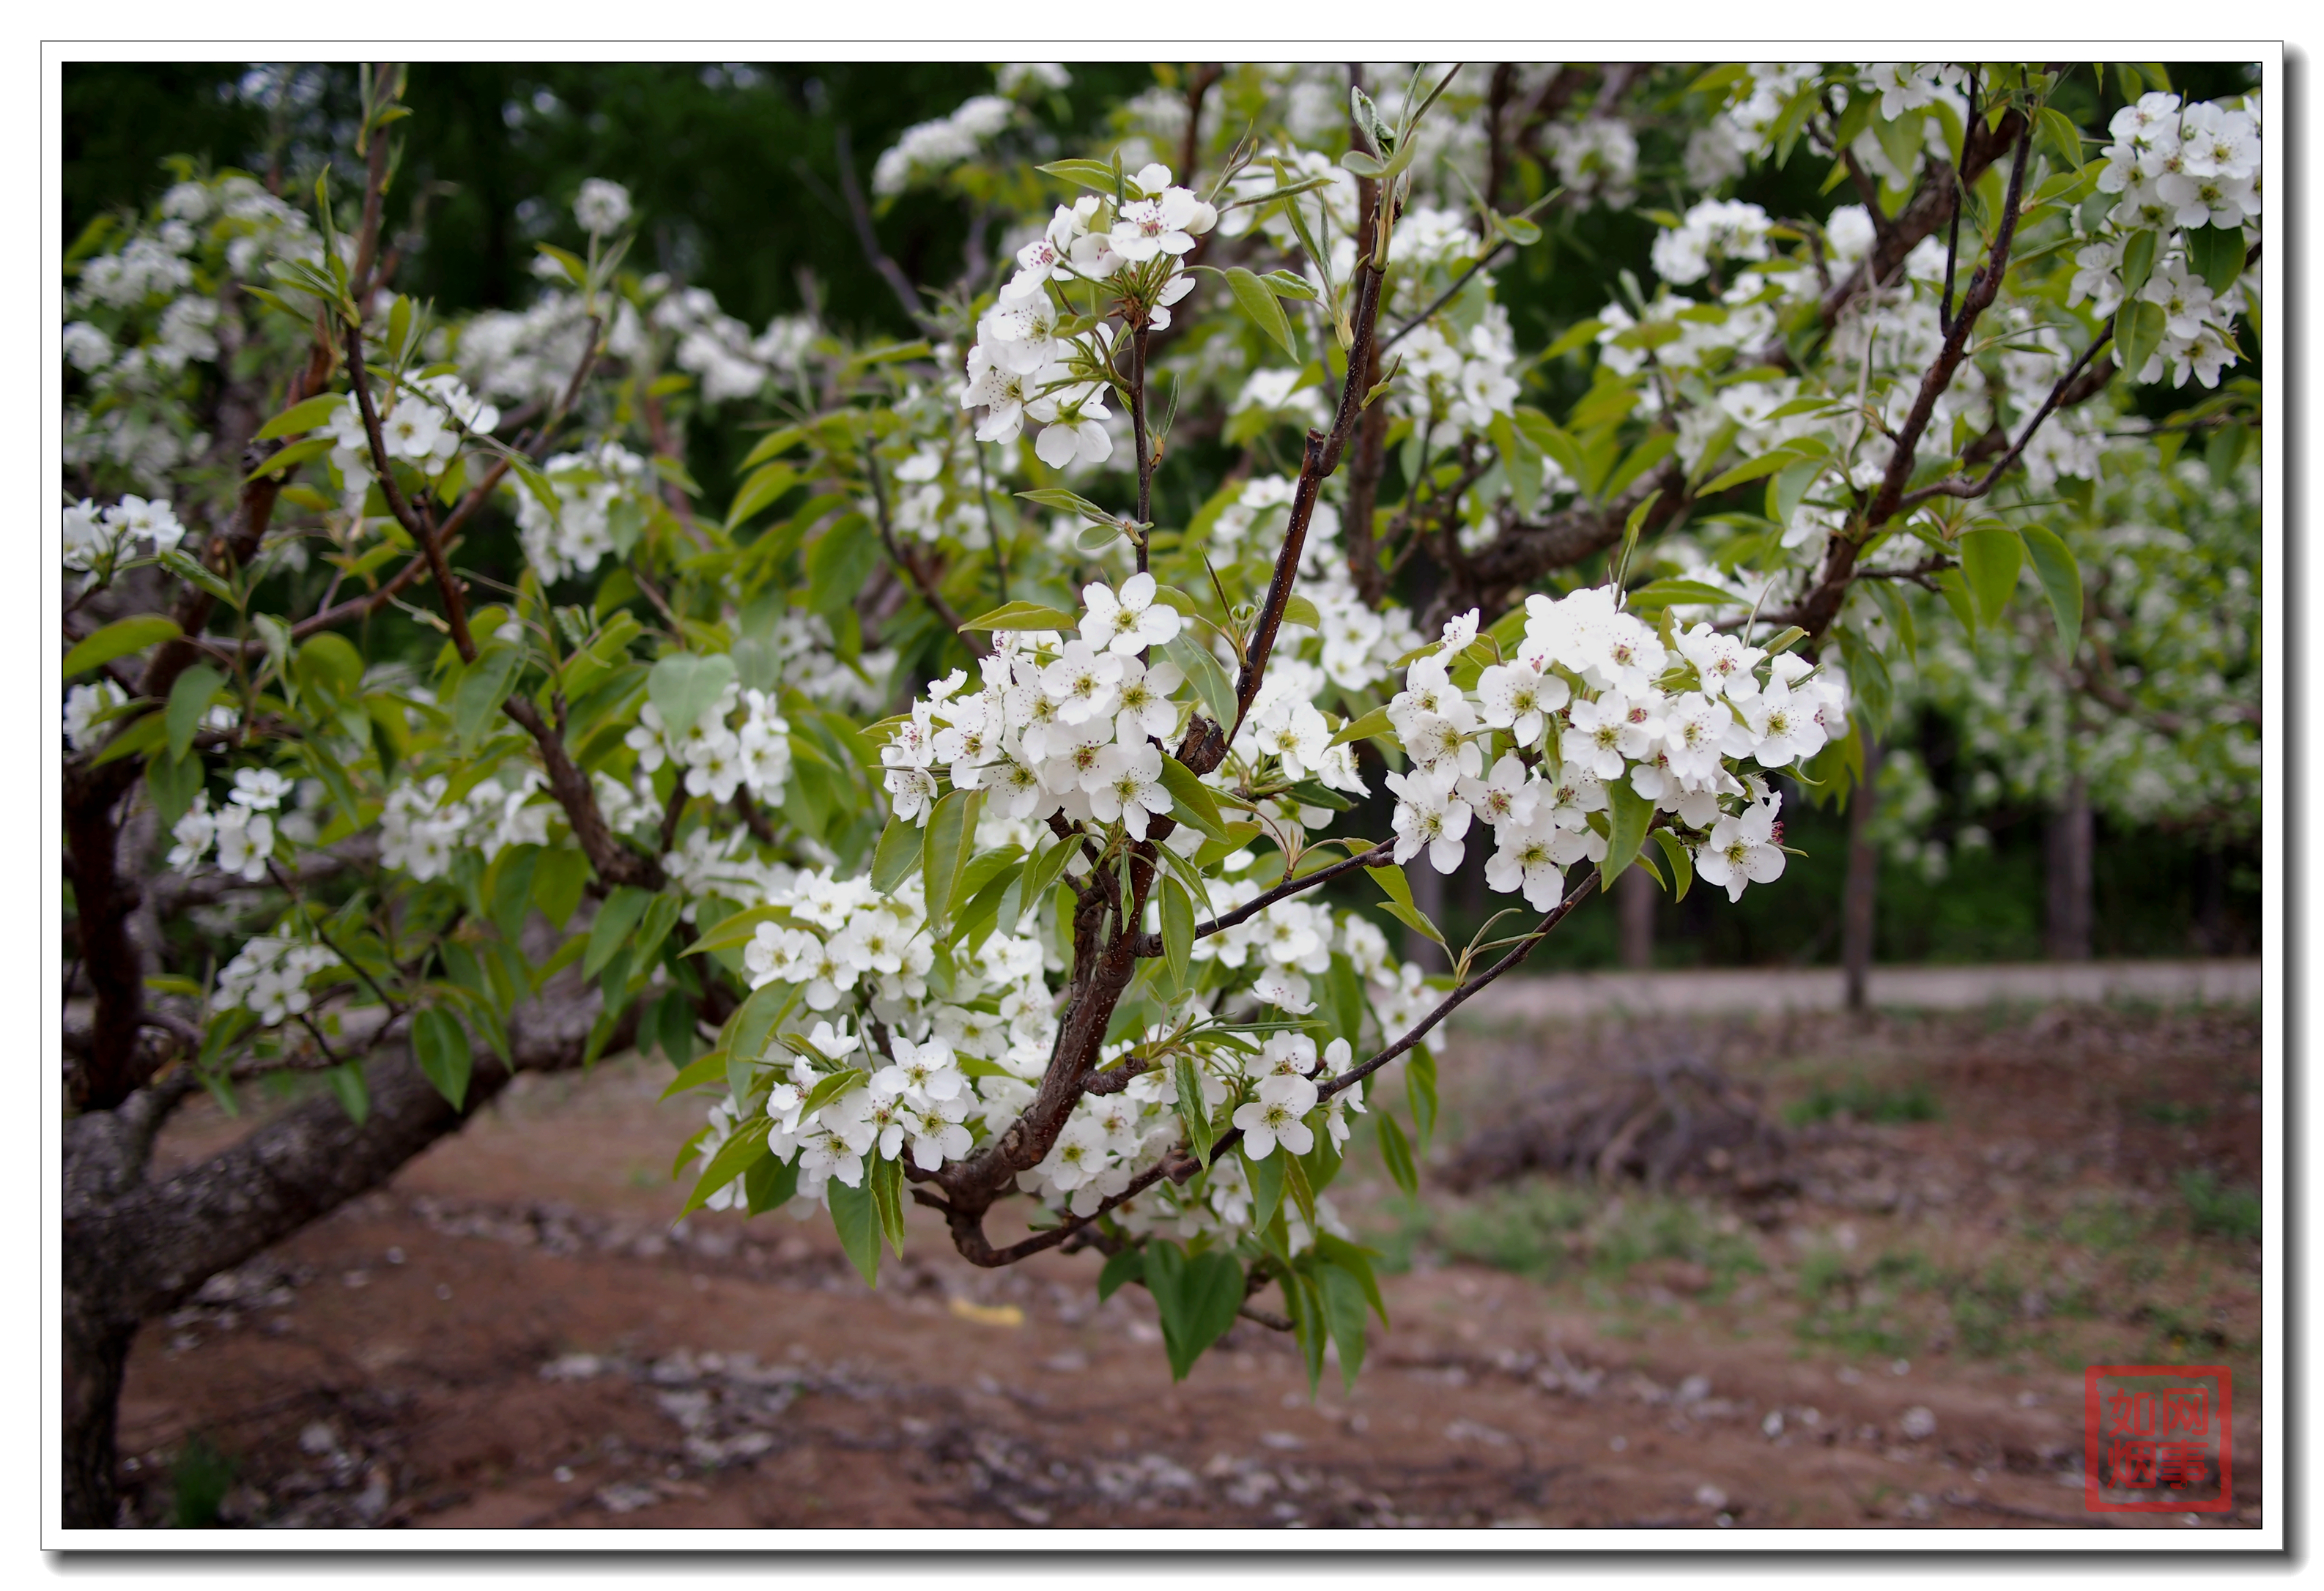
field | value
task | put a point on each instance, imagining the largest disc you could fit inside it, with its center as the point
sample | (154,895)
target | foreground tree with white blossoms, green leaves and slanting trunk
(954,809)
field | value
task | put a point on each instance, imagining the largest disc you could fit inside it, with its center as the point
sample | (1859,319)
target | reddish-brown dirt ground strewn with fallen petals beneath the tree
(1888,1334)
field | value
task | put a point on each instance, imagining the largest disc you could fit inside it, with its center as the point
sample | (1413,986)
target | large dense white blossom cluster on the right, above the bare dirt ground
(1591,698)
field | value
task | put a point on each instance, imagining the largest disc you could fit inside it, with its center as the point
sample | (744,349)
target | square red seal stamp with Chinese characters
(2158,1439)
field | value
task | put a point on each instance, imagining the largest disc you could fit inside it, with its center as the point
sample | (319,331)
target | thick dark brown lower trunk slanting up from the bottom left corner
(141,1248)
